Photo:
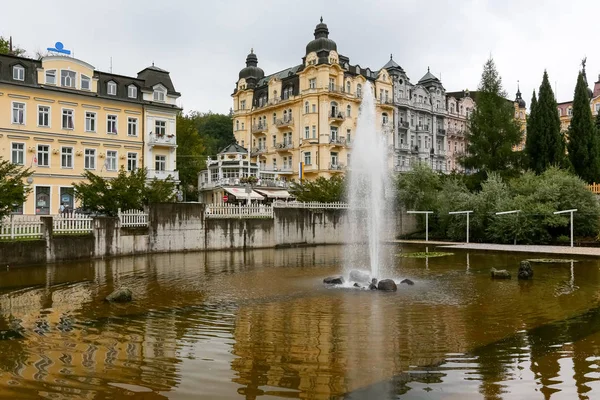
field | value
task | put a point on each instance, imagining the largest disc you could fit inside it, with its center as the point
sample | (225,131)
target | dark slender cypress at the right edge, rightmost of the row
(583,141)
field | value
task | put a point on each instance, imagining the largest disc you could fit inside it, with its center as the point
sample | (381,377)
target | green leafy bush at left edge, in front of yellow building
(13,190)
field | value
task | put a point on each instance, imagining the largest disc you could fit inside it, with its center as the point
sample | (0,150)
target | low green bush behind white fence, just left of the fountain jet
(321,189)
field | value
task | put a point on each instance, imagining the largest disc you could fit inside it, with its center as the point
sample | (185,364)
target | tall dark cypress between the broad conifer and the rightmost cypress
(548,124)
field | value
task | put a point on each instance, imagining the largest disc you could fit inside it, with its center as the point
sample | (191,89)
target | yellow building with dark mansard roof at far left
(60,116)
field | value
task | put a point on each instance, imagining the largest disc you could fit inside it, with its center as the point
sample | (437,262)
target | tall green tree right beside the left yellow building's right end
(191,154)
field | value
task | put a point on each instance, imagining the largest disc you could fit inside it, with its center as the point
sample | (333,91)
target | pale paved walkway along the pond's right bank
(577,251)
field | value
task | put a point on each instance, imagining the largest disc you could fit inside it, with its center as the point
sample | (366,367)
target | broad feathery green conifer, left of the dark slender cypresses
(493,130)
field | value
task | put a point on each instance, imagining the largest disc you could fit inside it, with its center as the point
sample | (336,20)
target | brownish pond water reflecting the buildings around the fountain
(260,324)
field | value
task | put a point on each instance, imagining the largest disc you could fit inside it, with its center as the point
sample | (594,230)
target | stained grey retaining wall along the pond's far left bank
(176,227)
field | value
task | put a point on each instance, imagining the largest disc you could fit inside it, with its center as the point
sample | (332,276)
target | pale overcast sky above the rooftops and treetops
(204,44)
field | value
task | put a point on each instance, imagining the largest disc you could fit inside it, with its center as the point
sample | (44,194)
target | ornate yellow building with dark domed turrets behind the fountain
(307,113)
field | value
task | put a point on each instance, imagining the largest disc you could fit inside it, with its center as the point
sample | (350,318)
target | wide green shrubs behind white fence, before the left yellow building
(127,191)
